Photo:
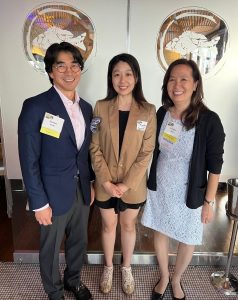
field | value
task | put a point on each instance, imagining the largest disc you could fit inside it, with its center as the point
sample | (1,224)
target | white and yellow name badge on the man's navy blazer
(52,125)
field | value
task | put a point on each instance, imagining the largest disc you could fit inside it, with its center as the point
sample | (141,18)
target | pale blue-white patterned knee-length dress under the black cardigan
(165,210)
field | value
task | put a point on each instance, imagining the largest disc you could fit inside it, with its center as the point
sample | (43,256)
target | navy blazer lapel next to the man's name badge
(58,108)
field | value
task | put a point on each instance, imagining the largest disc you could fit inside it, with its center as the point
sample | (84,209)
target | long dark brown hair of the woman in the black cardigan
(190,115)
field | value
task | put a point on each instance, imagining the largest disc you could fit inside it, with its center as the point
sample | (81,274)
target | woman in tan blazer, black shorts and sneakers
(124,129)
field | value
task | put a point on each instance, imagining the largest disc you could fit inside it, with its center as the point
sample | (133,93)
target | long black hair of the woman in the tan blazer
(133,63)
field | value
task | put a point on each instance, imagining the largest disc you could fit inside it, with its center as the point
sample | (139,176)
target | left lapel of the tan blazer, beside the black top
(114,126)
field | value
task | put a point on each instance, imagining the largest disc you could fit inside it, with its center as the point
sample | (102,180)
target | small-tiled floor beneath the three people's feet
(22,282)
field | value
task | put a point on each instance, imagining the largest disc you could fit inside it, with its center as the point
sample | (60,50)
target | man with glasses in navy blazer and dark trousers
(54,137)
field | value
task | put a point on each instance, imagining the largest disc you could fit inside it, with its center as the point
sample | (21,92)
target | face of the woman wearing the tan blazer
(123,79)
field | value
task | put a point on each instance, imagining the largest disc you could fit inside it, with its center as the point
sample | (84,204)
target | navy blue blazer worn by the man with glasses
(50,165)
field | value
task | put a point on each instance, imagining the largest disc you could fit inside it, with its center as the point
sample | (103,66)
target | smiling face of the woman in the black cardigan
(181,85)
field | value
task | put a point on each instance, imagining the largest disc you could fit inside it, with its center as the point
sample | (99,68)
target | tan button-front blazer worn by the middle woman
(137,148)
